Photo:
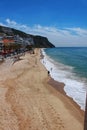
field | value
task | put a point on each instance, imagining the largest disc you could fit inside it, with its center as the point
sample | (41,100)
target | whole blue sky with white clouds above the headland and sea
(63,22)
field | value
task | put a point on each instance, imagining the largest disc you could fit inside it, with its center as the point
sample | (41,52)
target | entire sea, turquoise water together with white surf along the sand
(69,65)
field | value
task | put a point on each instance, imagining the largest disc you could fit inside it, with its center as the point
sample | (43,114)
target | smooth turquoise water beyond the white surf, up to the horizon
(75,57)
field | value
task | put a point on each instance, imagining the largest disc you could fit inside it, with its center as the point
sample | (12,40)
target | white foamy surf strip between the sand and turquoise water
(74,86)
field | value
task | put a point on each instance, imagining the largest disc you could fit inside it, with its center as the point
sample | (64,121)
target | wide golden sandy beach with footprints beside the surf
(31,100)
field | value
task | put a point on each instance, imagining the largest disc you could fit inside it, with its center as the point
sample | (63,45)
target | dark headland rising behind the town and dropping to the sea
(38,41)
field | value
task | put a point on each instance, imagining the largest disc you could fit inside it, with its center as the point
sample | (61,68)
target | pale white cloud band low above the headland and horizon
(57,36)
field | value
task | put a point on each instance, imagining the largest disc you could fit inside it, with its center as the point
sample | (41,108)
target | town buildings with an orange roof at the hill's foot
(14,44)
